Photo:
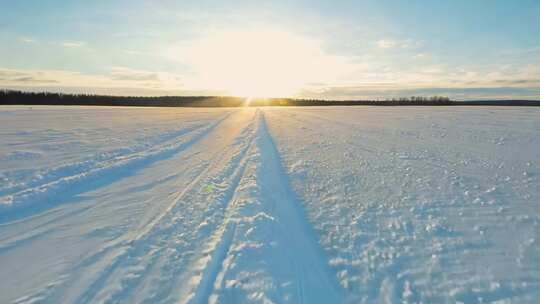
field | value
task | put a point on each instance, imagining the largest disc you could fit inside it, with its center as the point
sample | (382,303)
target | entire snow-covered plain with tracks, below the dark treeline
(269,205)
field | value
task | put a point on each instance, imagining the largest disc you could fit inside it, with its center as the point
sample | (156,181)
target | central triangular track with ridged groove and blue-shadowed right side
(265,234)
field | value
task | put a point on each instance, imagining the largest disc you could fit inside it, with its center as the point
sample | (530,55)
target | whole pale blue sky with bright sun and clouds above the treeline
(363,49)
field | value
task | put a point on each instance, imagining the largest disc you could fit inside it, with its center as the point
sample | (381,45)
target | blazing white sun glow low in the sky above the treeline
(257,63)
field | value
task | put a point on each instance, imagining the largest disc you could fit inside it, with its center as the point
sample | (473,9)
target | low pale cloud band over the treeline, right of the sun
(459,82)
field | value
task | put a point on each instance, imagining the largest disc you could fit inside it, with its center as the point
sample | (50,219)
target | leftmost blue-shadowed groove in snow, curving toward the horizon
(33,200)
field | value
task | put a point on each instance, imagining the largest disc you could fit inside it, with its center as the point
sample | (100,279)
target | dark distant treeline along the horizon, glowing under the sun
(10,97)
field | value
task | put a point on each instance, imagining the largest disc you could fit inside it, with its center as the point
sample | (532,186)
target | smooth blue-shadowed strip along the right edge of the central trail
(318,282)
